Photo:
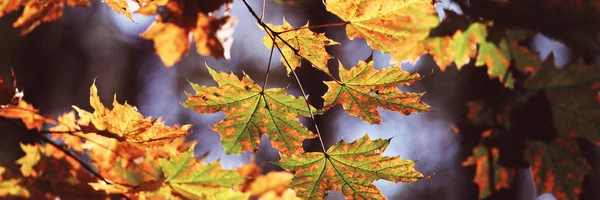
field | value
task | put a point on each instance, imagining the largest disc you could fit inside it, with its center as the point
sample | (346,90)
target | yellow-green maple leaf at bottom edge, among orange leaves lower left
(196,180)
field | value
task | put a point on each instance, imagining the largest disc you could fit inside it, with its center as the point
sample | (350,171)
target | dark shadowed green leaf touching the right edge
(573,97)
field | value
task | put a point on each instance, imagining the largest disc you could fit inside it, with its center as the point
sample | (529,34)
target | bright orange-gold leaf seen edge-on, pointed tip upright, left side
(125,123)
